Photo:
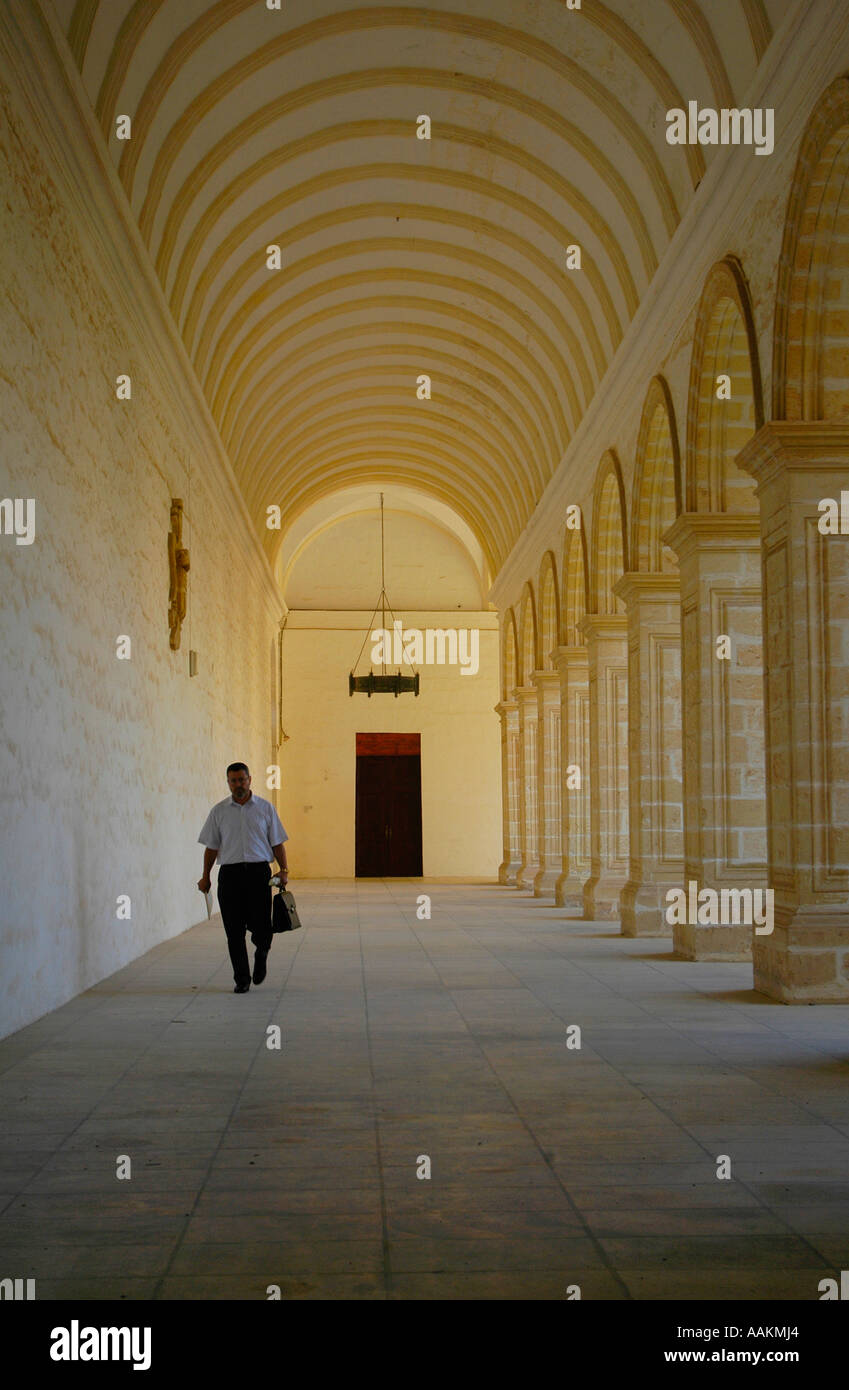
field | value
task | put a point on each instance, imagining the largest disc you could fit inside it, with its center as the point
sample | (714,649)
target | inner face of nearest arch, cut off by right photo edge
(811,351)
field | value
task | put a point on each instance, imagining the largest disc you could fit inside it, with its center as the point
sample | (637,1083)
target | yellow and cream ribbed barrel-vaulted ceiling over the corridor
(402,256)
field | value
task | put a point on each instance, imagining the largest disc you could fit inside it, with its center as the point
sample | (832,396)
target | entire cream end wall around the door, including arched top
(433,582)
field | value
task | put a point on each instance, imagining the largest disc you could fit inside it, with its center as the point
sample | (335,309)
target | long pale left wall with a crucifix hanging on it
(108,767)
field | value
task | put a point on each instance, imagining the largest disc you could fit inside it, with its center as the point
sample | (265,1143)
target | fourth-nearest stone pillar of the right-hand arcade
(608,668)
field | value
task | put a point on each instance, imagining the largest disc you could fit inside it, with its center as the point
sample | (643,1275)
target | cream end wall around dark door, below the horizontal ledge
(461,746)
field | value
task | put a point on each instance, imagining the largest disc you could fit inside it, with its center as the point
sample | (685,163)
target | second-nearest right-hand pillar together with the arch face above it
(718,541)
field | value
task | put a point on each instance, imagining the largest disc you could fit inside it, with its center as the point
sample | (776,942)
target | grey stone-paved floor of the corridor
(551,1167)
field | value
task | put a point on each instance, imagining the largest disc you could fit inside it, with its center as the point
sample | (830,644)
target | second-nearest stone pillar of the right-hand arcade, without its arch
(725,799)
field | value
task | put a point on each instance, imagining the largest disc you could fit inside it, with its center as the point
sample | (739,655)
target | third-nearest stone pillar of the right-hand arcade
(655,778)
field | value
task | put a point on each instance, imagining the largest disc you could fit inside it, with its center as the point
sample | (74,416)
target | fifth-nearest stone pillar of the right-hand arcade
(575,778)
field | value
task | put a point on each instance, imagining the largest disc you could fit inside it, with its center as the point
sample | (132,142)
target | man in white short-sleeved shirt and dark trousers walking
(244,832)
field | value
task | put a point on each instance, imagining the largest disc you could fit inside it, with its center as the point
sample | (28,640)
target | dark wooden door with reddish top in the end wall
(388,835)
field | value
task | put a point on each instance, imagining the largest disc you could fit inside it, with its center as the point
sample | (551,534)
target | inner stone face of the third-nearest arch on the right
(658,486)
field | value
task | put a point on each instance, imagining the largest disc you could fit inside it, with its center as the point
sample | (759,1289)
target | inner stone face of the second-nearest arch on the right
(725,344)
